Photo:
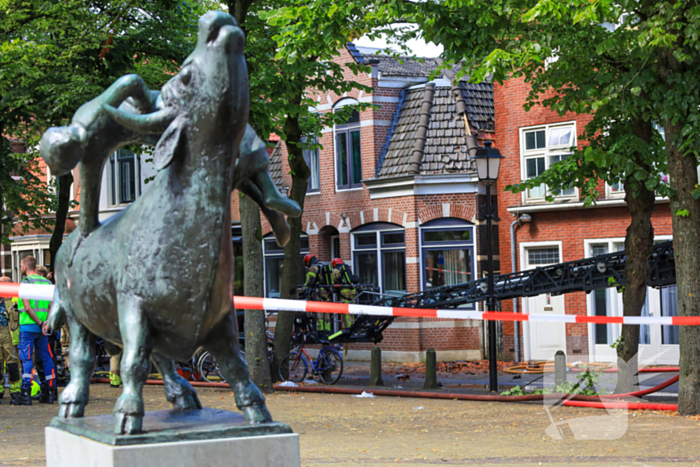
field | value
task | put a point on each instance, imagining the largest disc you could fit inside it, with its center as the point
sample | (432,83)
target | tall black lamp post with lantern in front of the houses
(488,161)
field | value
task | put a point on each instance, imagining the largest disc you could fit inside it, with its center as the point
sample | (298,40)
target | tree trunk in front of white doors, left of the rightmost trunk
(638,246)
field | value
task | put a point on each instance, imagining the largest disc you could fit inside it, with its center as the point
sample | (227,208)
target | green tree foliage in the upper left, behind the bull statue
(55,56)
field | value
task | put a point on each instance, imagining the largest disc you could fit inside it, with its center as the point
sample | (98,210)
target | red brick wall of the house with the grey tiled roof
(330,210)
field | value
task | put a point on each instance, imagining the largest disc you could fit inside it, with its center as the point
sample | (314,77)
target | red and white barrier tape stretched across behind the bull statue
(45,292)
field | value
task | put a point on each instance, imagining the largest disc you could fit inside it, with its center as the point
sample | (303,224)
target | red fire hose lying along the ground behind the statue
(570,400)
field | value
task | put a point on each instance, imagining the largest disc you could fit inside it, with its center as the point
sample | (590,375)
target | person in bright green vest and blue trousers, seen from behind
(33,334)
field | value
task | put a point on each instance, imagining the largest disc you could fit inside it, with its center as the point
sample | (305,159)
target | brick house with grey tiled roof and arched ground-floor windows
(402,231)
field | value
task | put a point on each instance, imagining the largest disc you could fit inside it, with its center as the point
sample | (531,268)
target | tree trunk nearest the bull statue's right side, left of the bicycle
(255,336)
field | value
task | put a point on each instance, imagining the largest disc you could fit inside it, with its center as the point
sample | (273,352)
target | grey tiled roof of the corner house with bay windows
(445,149)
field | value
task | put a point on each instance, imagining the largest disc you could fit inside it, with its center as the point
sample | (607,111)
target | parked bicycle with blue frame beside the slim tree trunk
(328,364)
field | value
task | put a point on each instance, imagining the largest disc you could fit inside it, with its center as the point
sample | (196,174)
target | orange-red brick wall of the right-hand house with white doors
(571,226)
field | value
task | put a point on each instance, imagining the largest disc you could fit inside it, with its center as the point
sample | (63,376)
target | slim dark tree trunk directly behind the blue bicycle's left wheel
(292,251)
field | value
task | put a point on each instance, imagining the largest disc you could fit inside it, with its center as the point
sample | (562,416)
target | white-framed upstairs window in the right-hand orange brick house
(541,148)
